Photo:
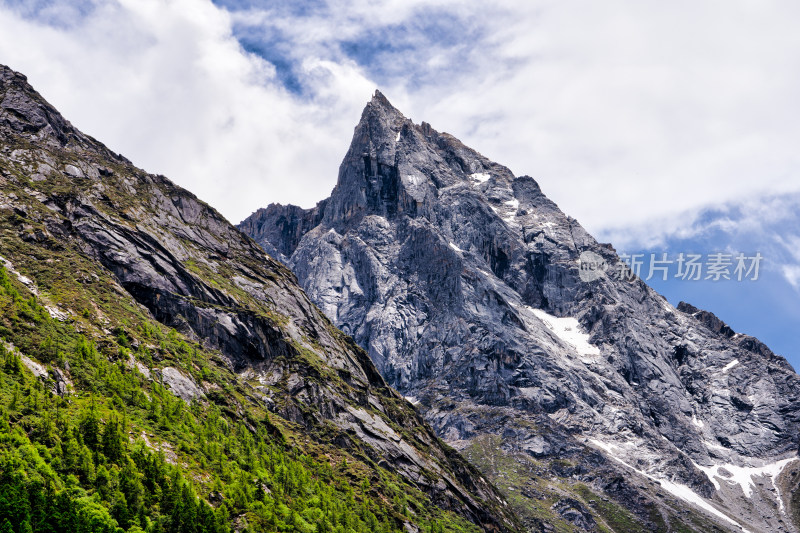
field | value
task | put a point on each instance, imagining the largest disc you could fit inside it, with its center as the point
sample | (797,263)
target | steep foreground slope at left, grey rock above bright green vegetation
(176,299)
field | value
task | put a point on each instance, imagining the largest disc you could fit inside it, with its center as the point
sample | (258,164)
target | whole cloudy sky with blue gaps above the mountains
(661,126)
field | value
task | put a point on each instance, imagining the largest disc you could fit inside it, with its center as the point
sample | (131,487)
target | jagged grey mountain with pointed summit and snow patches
(465,285)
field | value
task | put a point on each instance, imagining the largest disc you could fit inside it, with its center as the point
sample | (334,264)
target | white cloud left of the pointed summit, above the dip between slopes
(166,83)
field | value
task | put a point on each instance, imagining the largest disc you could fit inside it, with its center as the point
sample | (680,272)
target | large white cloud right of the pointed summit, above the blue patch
(628,112)
